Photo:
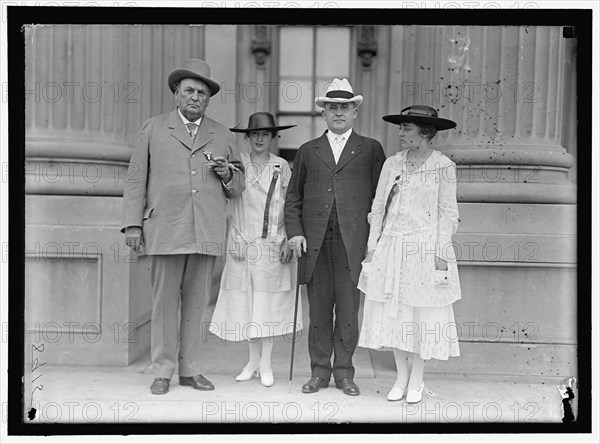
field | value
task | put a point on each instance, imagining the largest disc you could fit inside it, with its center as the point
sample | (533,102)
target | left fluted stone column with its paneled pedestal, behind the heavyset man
(88,89)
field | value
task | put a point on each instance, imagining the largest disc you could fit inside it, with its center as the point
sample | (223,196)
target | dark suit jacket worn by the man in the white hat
(317,181)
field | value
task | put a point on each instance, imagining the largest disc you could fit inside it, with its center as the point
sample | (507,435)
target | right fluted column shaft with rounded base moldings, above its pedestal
(504,88)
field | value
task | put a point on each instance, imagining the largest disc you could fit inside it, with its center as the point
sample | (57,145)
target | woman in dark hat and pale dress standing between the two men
(257,294)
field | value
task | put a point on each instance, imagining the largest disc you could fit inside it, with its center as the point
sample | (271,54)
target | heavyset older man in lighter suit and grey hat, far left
(181,172)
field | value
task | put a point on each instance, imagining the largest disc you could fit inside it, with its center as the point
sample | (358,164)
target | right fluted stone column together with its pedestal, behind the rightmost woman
(516,241)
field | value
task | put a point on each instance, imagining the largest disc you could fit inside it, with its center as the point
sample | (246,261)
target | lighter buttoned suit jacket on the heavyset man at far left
(173,193)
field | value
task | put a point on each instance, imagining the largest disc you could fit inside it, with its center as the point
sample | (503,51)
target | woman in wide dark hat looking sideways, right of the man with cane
(410,277)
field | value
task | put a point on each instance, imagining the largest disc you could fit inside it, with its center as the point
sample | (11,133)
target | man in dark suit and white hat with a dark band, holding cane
(333,183)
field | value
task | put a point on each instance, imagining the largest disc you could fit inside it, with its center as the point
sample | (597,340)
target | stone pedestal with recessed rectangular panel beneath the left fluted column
(79,301)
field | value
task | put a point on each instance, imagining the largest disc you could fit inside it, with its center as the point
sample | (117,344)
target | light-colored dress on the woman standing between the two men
(257,293)
